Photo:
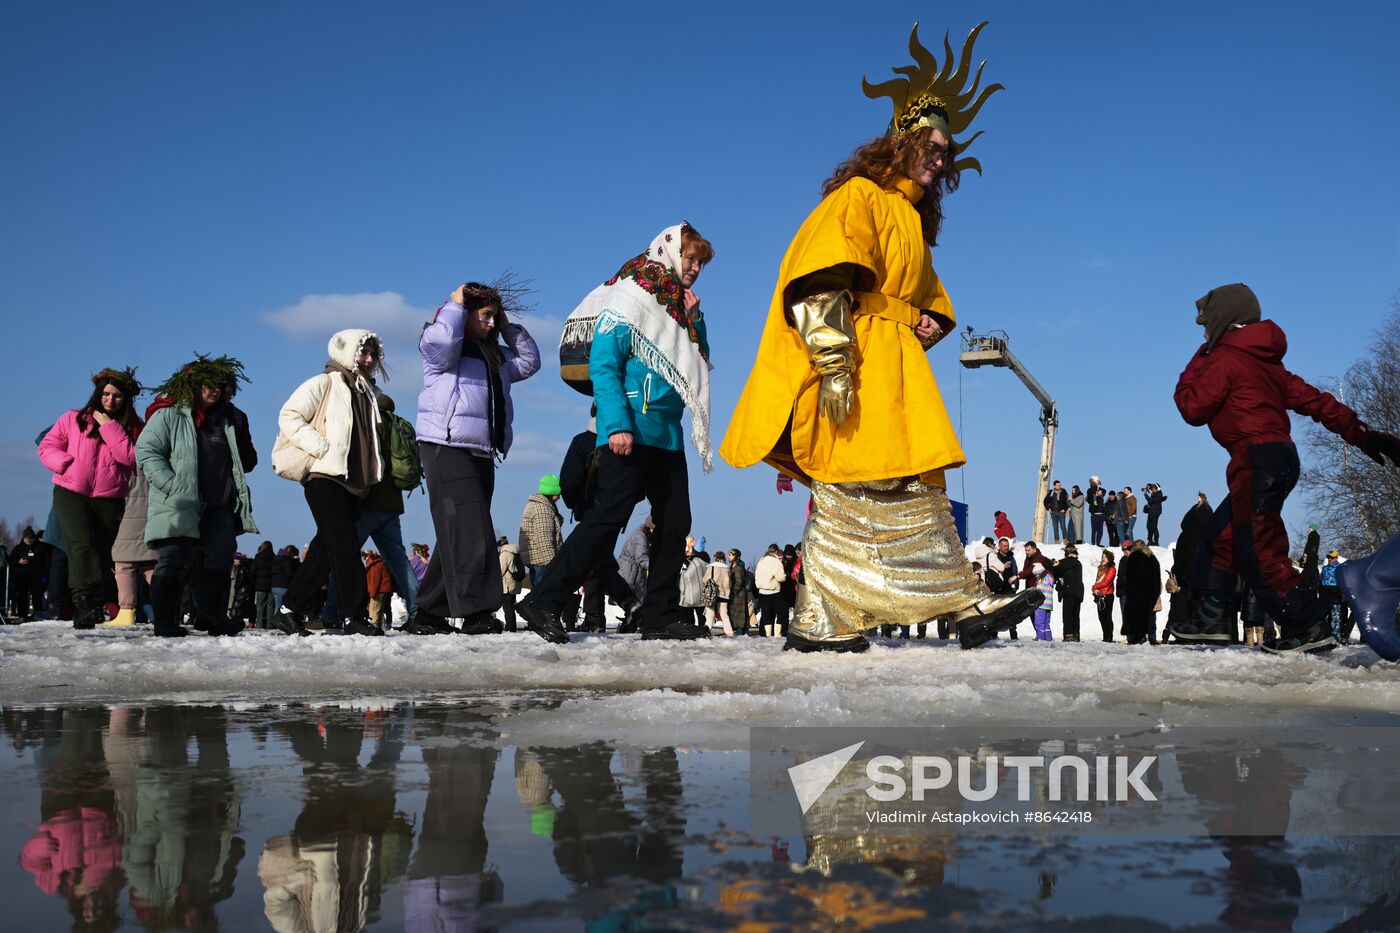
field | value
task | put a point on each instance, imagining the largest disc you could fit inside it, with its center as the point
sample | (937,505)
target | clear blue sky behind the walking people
(247,179)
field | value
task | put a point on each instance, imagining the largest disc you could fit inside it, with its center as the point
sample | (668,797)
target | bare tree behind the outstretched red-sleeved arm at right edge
(1357,502)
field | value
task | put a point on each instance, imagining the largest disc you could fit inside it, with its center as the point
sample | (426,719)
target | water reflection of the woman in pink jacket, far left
(76,854)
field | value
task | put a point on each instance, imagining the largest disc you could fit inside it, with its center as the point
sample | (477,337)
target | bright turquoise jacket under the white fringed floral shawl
(632,397)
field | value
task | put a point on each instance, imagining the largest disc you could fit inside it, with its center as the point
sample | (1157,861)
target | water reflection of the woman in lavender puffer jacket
(449,880)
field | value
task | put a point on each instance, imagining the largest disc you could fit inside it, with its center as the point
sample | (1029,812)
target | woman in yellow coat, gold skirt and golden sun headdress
(842,396)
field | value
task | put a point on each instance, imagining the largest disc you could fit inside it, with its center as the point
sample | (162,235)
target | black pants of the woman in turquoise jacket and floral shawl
(649,473)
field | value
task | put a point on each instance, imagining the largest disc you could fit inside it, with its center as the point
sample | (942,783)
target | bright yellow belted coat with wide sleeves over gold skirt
(899,427)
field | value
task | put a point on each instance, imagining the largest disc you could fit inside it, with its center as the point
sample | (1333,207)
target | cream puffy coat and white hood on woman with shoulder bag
(327,446)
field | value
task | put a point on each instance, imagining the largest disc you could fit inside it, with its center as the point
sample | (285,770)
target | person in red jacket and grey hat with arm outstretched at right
(1238,387)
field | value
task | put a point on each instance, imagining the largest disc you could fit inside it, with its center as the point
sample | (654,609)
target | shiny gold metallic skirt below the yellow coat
(881,553)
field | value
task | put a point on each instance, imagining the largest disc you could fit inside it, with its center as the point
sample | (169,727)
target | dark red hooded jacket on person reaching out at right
(1242,392)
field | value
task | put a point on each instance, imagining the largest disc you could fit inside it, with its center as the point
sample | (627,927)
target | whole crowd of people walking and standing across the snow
(829,403)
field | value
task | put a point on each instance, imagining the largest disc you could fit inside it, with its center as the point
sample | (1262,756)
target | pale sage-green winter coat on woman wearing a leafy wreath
(169,455)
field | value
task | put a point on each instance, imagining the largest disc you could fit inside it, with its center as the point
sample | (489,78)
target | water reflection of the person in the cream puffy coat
(349,841)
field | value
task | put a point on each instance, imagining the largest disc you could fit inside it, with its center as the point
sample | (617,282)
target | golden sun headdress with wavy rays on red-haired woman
(929,96)
